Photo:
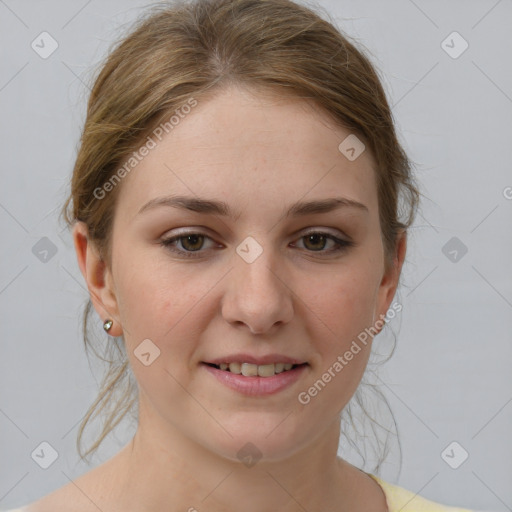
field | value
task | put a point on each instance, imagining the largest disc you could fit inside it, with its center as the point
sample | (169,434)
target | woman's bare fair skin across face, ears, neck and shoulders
(259,155)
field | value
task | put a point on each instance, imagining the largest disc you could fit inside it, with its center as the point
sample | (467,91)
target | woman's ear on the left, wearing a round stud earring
(98,277)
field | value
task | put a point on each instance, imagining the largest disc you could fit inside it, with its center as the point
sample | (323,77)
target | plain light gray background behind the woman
(449,379)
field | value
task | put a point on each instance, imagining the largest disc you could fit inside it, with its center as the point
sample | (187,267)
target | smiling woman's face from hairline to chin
(256,280)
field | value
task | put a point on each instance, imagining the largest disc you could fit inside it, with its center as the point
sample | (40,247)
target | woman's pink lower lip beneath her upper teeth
(257,386)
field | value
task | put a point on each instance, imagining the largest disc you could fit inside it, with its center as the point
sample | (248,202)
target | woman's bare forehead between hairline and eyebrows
(250,150)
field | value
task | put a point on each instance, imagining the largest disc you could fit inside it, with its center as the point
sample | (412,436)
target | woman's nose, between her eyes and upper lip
(258,295)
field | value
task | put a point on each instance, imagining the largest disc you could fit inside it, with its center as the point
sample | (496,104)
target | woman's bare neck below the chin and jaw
(162,466)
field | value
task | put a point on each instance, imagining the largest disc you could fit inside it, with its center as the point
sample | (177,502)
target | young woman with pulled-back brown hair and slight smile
(235,213)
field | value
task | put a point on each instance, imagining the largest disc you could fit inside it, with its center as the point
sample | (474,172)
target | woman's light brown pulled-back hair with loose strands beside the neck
(195,49)
